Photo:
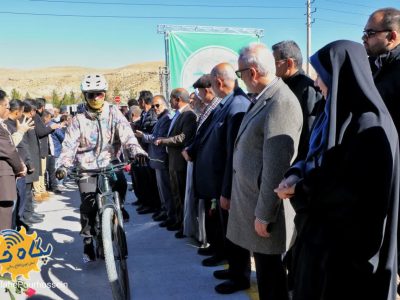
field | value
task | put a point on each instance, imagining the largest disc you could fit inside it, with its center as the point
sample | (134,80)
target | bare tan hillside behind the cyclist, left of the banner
(128,80)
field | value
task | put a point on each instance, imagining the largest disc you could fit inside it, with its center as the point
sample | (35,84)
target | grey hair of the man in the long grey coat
(260,57)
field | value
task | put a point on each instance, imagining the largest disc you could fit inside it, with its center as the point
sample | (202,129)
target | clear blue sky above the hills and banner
(103,40)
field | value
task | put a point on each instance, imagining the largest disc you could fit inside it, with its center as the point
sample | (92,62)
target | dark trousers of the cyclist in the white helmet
(88,208)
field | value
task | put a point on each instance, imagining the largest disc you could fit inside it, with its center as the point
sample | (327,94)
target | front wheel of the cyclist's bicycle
(115,254)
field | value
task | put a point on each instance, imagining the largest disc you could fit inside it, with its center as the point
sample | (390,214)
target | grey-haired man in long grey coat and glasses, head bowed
(265,146)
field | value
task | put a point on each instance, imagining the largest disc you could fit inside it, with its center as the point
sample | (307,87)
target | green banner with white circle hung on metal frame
(192,54)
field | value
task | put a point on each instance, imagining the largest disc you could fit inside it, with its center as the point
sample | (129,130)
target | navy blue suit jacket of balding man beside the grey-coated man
(212,171)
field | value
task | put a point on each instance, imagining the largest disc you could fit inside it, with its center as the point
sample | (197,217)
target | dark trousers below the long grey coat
(271,277)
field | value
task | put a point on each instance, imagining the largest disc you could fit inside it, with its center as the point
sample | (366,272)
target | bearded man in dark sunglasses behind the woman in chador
(381,40)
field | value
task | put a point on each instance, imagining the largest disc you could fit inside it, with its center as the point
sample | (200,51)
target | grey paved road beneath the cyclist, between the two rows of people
(160,266)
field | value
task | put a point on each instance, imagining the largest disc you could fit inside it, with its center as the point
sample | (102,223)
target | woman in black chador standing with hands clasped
(346,192)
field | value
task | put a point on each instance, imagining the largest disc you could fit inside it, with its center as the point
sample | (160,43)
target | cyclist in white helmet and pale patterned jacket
(92,141)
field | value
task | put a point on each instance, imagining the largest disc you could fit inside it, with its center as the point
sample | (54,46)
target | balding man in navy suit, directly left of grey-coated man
(213,176)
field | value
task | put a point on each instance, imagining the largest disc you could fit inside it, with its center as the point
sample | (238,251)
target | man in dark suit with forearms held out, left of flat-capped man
(180,134)
